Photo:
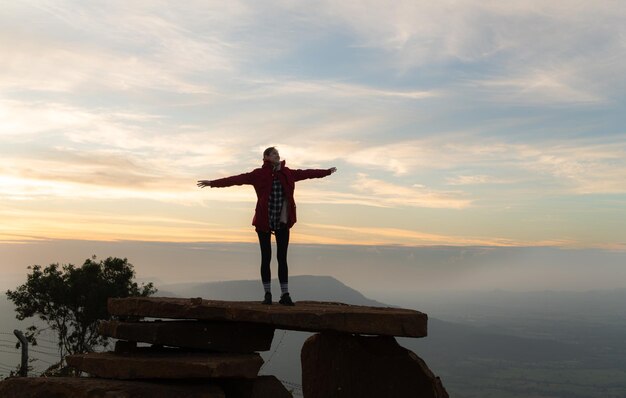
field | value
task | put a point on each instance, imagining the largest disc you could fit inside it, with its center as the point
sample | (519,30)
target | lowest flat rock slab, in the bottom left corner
(88,387)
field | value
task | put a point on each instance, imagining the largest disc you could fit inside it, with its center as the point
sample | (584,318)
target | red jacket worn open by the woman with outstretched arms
(261,179)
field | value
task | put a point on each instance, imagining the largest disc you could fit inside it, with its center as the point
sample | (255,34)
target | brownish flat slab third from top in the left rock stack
(149,363)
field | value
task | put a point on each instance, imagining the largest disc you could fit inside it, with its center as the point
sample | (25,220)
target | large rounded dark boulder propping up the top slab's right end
(344,365)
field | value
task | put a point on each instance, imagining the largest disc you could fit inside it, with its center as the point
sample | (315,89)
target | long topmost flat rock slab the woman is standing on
(309,316)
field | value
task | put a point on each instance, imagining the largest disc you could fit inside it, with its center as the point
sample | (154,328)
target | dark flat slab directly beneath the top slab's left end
(217,336)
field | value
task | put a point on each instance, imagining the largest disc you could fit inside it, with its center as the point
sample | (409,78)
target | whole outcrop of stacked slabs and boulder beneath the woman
(211,347)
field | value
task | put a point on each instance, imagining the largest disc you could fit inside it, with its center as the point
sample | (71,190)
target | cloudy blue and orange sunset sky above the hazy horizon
(461,123)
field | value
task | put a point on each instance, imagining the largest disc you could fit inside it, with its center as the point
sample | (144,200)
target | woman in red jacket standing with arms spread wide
(275,212)
